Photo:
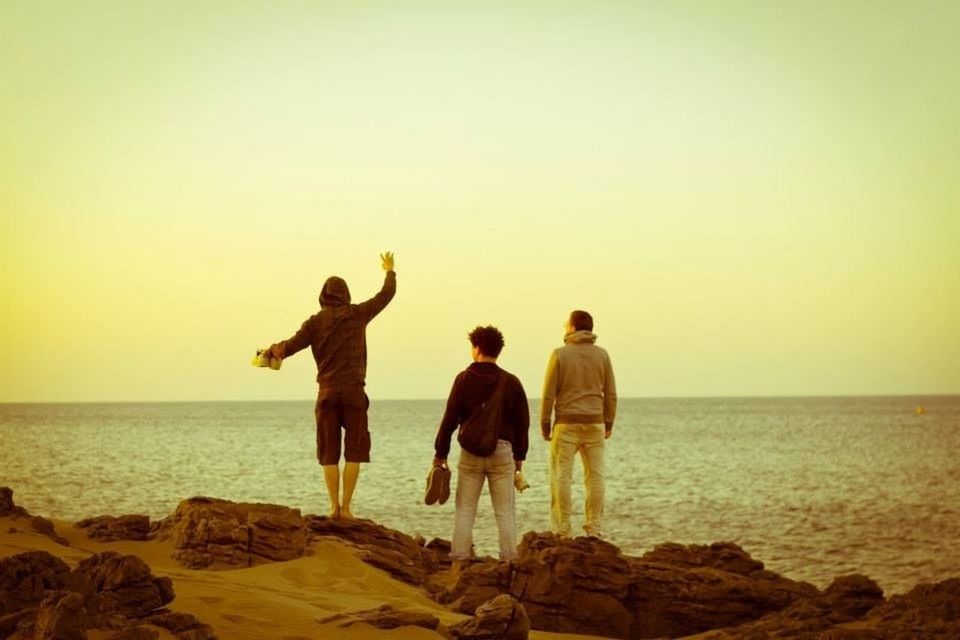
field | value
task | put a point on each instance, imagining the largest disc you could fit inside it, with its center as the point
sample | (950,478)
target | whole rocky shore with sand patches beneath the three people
(266,571)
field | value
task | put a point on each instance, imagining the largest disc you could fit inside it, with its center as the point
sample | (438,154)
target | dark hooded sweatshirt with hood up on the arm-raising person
(337,334)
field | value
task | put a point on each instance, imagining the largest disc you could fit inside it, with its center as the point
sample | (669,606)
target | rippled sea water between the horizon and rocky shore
(813,487)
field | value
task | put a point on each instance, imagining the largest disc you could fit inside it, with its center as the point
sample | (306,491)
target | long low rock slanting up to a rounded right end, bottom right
(847,599)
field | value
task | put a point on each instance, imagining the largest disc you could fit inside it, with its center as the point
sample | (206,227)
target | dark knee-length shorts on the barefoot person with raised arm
(342,408)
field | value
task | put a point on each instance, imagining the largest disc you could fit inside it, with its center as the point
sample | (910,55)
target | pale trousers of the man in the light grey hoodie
(565,442)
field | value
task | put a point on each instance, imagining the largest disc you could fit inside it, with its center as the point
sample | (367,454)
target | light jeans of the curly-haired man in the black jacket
(498,470)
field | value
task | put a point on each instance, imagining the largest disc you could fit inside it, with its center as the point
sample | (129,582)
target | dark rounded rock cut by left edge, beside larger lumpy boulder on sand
(27,578)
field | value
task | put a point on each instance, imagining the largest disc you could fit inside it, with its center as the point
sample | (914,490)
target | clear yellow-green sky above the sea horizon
(752,198)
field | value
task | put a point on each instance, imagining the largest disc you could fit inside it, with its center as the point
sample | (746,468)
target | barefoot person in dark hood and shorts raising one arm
(337,337)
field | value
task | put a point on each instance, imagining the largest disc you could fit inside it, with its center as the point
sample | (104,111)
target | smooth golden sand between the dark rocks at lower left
(280,600)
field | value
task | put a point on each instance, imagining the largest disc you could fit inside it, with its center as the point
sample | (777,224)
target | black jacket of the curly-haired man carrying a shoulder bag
(471,388)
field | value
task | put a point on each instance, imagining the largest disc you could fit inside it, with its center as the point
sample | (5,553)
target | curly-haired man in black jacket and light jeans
(471,388)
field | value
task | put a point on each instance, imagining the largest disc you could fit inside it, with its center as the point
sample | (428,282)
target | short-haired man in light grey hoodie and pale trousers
(580,390)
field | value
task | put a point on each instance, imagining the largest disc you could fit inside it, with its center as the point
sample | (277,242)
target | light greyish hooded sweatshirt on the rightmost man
(579,383)
